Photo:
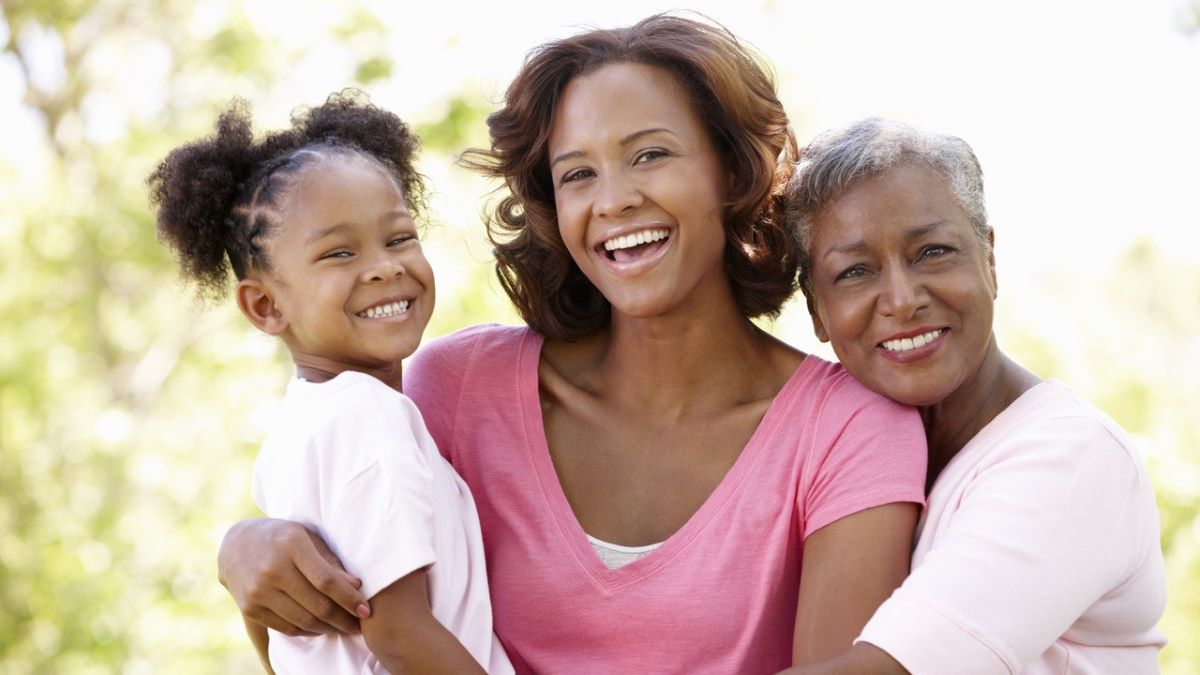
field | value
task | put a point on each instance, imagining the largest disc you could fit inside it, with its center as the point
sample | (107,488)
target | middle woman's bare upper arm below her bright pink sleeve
(850,568)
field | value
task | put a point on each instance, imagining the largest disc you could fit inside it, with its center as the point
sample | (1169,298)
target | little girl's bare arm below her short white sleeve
(405,637)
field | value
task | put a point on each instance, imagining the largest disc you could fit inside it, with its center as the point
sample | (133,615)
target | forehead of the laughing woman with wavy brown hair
(619,99)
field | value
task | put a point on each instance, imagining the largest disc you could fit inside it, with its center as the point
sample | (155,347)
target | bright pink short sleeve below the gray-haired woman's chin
(871,452)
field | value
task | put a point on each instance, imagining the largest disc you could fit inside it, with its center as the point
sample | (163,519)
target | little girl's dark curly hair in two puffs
(219,198)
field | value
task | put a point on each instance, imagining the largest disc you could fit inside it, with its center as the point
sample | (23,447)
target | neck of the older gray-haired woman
(956,420)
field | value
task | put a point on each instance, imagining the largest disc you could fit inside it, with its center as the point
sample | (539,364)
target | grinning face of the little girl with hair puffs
(350,284)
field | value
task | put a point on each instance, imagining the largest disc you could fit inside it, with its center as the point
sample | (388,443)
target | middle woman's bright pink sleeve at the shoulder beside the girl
(434,381)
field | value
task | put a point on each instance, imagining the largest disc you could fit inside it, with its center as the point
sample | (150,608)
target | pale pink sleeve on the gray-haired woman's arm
(1039,537)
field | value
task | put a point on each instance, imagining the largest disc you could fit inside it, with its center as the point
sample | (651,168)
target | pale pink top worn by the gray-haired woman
(1039,553)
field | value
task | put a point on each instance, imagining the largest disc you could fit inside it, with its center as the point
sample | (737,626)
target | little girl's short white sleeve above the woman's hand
(379,515)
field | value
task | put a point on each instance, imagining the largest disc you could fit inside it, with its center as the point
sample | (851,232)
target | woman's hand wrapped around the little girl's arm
(286,578)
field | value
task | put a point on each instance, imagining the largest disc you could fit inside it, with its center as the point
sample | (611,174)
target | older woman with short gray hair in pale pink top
(1039,551)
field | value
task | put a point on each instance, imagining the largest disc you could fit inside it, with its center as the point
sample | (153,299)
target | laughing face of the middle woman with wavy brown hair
(640,190)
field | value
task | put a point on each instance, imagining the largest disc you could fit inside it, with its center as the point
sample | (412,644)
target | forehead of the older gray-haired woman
(896,202)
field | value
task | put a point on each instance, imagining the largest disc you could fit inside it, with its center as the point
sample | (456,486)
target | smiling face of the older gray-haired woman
(902,286)
